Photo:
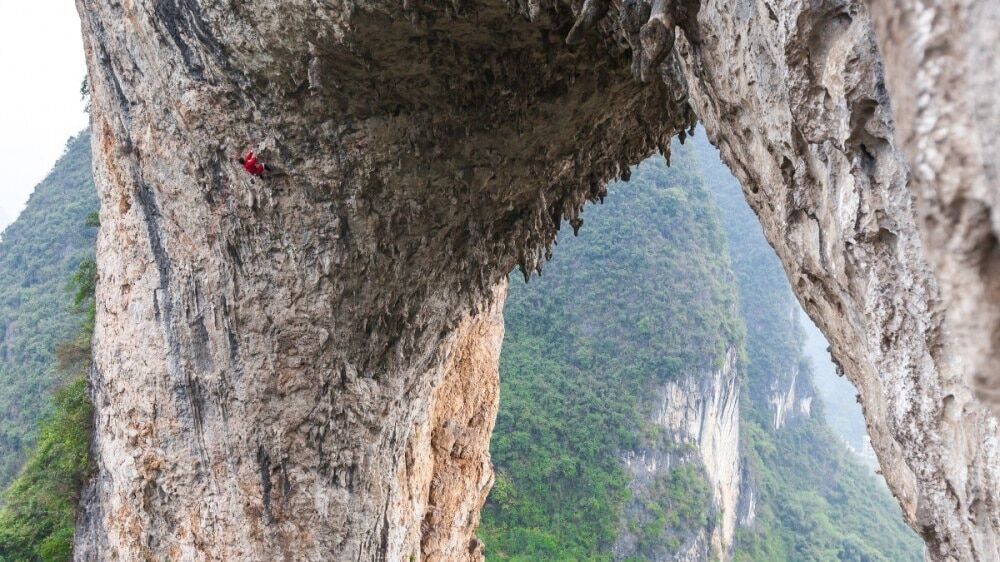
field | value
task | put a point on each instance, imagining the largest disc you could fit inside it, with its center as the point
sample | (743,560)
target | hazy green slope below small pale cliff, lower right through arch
(817,503)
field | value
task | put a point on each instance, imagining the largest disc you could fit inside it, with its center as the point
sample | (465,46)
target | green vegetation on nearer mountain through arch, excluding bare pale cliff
(644,294)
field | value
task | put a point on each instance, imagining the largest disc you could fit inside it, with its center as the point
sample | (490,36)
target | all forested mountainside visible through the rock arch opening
(647,295)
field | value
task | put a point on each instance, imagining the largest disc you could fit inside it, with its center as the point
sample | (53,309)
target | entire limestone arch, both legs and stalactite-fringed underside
(304,367)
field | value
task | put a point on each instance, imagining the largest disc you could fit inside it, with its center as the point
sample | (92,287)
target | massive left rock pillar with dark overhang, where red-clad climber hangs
(266,350)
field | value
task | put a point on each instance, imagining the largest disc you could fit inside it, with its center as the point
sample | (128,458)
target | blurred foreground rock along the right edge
(943,71)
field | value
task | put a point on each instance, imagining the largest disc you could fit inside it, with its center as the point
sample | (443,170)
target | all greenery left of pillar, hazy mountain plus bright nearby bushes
(47,278)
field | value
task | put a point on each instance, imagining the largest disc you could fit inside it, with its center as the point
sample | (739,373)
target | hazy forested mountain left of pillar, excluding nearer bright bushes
(38,254)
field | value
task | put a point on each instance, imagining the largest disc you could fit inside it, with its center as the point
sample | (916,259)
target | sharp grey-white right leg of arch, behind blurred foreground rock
(793,96)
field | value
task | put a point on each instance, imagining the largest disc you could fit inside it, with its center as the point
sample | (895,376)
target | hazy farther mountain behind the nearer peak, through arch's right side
(803,496)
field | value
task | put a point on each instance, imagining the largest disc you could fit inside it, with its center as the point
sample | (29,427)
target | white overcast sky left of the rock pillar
(41,68)
